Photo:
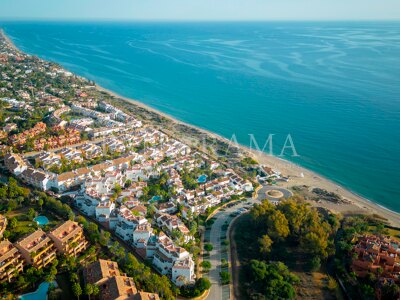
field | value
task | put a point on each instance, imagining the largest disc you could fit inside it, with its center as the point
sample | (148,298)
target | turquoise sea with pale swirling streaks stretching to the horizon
(333,86)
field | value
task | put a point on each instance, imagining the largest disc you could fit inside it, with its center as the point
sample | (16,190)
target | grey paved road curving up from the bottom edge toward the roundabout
(219,292)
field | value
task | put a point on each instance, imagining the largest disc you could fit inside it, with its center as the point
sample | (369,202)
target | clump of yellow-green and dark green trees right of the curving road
(272,237)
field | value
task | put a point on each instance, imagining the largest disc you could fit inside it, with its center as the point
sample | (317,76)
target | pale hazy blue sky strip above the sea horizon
(201,9)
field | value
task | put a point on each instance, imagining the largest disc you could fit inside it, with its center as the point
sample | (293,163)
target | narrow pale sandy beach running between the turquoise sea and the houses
(359,204)
